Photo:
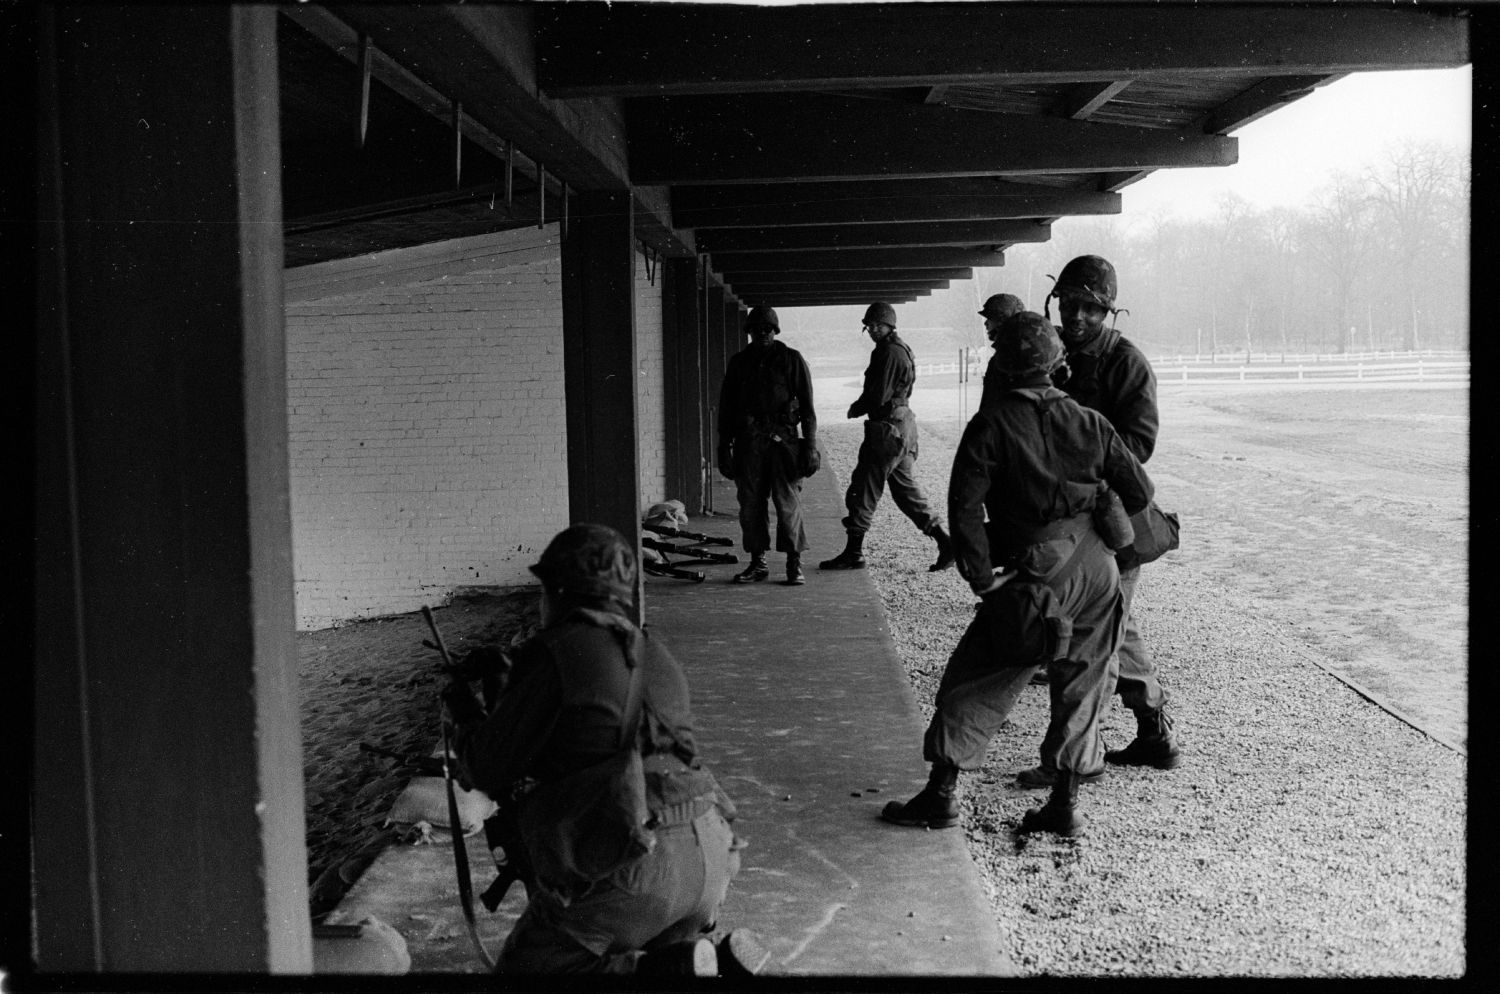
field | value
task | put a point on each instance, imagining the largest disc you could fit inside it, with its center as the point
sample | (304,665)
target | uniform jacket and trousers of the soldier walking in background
(889,452)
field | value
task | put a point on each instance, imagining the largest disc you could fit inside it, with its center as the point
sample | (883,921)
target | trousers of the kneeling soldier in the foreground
(670,896)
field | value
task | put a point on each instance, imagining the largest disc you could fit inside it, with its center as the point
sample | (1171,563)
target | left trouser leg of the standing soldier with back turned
(974,701)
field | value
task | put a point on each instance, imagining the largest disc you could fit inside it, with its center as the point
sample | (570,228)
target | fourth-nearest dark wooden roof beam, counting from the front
(941,233)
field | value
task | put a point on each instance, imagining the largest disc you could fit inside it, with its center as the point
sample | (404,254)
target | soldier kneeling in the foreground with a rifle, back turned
(586,686)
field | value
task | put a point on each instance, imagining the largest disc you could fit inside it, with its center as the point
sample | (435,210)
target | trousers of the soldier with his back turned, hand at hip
(986,675)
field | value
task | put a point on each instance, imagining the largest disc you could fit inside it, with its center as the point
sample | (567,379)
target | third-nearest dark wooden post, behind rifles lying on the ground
(686,413)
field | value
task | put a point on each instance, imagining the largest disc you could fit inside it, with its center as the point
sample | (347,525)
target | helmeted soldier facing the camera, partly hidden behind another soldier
(1111,376)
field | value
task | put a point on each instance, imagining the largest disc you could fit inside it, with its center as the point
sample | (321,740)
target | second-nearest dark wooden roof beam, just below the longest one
(818,137)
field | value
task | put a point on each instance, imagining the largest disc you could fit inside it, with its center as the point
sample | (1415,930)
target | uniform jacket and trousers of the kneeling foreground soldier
(563,713)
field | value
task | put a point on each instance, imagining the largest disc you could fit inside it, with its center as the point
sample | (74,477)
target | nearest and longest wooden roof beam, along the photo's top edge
(659,49)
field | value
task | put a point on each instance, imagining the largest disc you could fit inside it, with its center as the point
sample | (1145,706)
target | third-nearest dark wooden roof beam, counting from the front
(881,202)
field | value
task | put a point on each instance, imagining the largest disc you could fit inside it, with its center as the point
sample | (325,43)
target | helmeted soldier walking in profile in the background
(889,452)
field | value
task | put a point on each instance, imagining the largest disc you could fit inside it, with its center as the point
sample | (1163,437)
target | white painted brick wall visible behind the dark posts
(428,428)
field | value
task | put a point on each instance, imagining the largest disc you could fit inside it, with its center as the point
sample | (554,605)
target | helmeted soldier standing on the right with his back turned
(1021,500)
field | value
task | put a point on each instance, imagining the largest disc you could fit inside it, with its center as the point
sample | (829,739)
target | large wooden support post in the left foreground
(170,833)
